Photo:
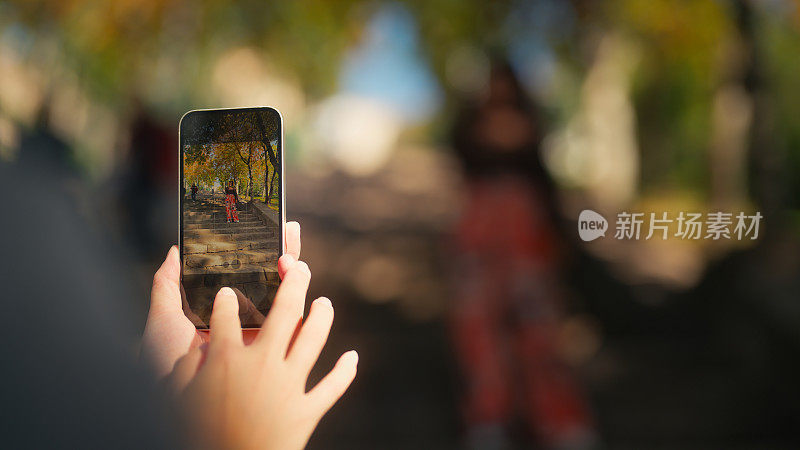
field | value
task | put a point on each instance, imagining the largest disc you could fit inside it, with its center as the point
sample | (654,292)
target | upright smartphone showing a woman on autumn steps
(232,213)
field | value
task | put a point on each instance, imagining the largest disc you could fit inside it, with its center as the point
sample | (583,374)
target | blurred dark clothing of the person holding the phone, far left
(70,378)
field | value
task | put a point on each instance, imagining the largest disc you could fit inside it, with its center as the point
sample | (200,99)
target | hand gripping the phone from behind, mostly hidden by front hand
(169,333)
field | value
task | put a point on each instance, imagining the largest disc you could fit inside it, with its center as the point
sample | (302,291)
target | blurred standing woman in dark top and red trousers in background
(508,294)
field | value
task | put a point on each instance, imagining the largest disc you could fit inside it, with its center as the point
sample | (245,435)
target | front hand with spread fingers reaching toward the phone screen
(247,397)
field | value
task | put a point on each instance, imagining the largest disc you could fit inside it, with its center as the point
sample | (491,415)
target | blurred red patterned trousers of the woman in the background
(505,314)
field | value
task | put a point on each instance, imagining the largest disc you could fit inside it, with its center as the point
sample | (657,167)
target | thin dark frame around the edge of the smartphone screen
(282,185)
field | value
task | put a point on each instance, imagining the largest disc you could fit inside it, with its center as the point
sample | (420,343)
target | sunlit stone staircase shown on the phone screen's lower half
(240,255)
